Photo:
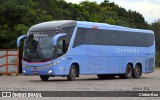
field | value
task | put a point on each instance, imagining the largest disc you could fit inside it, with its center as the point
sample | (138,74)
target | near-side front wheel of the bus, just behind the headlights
(72,73)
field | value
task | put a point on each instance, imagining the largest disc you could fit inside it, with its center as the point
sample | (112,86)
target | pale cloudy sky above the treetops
(150,9)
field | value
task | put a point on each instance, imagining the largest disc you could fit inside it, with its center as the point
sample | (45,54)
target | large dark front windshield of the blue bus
(38,46)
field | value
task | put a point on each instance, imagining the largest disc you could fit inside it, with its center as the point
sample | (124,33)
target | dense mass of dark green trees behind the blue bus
(16,16)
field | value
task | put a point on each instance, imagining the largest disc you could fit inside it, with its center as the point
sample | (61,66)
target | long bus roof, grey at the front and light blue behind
(53,25)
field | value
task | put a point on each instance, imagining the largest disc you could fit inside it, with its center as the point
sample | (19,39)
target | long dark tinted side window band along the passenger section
(112,38)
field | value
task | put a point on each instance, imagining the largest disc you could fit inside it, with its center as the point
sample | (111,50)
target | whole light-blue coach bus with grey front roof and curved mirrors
(72,48)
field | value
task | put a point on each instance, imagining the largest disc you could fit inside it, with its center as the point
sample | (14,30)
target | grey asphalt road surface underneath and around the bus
(148,82)
